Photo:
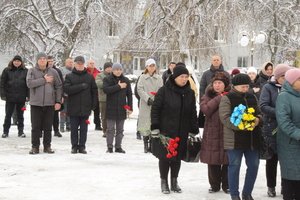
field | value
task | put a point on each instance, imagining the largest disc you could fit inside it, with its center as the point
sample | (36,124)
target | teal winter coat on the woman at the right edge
(288,134)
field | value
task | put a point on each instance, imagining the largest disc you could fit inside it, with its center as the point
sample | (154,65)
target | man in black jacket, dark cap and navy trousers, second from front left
(82,99)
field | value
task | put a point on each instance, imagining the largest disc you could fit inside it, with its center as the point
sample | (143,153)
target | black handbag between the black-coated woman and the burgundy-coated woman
(193,149)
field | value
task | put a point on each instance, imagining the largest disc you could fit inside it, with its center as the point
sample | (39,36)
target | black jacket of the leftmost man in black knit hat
(13,84)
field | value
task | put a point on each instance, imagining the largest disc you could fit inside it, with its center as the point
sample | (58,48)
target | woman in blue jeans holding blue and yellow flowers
(240,116)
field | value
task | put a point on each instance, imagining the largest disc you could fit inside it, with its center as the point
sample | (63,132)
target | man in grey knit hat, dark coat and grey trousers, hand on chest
(118,104)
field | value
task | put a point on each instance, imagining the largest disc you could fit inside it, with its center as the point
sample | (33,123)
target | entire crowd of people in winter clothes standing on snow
(243,112)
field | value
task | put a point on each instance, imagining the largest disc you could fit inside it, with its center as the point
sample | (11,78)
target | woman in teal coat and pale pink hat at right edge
(288,134)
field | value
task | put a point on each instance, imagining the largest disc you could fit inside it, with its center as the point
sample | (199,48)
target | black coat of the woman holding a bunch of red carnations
(174,114)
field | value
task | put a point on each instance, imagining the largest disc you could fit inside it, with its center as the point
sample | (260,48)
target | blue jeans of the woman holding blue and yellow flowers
(252,162)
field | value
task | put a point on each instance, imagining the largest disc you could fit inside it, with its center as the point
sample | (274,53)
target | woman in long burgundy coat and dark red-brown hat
(212,150)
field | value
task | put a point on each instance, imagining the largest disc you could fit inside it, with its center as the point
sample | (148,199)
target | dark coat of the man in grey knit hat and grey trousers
(117,98)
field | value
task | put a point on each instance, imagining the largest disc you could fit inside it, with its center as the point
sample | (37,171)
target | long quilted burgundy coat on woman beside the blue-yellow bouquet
(212,149)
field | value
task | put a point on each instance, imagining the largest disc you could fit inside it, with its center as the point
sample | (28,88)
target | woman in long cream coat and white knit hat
(147,86)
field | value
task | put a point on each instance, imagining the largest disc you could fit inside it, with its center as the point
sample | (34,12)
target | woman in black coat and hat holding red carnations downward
(173,115)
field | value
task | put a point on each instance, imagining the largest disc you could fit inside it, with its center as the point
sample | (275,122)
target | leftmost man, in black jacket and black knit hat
(14,91)
